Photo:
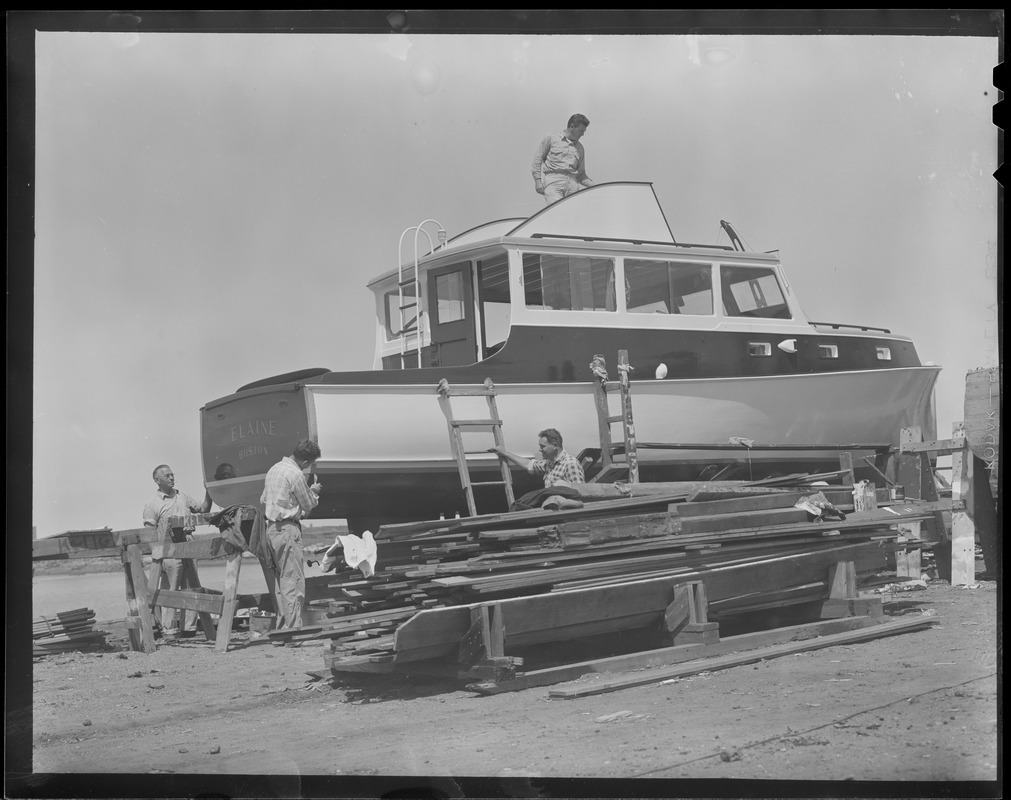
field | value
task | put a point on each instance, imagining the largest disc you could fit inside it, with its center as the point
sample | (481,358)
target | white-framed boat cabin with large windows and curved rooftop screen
(549,273)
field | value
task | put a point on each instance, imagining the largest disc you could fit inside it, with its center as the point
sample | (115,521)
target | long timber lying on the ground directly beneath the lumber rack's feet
(675,655)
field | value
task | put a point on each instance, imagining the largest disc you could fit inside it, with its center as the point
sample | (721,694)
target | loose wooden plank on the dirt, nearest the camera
(738,660)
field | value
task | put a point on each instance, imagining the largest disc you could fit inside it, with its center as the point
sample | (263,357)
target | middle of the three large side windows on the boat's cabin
(668,288)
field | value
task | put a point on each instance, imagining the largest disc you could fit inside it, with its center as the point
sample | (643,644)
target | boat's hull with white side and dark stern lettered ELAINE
(387,455)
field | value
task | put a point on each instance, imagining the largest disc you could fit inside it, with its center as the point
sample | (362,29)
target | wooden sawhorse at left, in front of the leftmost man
(144,593)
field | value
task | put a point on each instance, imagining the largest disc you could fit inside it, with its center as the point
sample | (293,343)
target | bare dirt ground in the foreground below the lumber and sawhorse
(916,708)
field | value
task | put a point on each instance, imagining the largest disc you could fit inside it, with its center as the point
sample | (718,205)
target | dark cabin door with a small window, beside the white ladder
(451,317)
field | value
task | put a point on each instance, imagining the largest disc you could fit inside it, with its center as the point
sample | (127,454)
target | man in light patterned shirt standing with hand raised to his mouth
(288,498)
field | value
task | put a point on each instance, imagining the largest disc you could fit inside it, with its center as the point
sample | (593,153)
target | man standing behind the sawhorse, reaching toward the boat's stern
(170,502)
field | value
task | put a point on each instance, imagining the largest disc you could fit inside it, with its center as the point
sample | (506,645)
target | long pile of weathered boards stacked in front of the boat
(668,537)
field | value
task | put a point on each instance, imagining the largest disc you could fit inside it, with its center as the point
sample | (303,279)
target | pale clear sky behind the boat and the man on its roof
(209,208)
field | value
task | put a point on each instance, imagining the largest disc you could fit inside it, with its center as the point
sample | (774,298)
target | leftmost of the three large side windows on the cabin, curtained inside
(569,283)
